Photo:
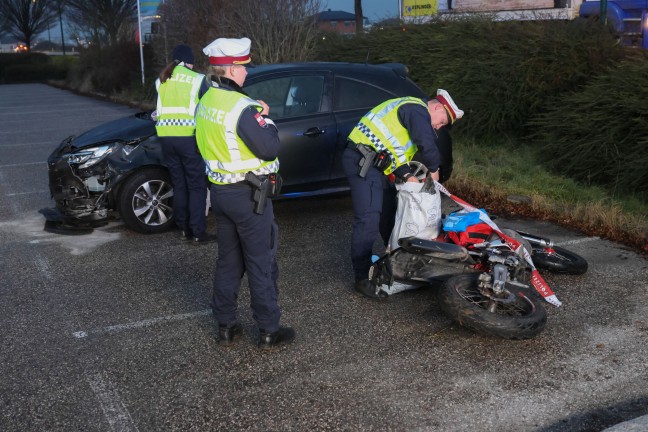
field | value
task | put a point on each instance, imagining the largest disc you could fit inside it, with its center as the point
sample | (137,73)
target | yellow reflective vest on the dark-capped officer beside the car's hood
(177,101)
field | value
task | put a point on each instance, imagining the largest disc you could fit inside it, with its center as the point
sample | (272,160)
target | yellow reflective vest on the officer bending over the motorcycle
(381,129)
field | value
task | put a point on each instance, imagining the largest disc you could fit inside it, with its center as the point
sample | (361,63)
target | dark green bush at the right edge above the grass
(600,133)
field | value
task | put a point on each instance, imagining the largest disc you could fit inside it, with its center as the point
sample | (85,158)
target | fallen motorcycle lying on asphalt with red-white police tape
(490,283)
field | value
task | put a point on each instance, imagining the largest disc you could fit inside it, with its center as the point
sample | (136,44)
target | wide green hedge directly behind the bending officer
(500,73)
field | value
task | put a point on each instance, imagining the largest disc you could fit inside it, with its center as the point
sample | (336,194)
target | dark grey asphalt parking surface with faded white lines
(112,331)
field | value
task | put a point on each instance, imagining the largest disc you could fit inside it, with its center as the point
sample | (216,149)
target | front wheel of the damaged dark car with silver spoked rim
(146,201)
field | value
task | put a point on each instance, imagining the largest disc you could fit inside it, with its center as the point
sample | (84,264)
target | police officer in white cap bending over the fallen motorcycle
(382,143)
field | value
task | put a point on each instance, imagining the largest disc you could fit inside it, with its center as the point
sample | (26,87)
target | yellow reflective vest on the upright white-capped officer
(227,156)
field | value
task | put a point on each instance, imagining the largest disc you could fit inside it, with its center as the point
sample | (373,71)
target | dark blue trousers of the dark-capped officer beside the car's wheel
(187,169)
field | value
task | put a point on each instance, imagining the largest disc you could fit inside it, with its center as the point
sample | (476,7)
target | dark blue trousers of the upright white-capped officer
(247,243)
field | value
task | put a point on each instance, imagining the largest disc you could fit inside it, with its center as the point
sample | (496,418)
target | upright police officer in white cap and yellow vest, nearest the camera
(238,140)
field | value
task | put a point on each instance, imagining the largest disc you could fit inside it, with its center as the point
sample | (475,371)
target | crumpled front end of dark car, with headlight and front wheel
(115,166)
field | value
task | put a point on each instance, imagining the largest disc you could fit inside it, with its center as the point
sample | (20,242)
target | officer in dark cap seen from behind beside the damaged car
(178,87)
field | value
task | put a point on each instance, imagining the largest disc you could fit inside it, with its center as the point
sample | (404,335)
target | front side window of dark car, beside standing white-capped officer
(289,96)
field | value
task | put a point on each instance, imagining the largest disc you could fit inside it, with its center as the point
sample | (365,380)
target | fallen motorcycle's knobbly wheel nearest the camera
(522,316)
